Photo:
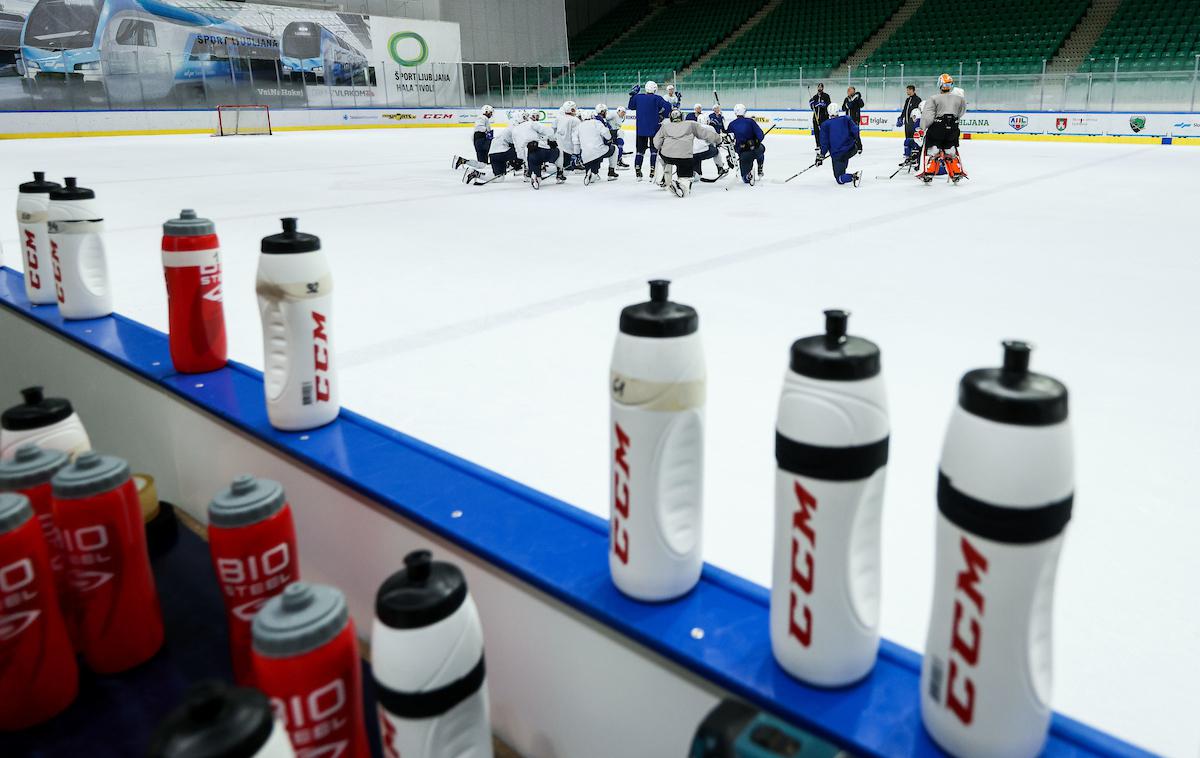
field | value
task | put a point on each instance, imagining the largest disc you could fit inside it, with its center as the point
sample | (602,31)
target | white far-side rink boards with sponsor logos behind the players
(1125,128)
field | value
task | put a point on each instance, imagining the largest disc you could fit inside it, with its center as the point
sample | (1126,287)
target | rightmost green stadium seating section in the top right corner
(1149,35)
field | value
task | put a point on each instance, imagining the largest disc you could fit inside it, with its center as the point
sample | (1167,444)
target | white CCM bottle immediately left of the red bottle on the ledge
(77,254)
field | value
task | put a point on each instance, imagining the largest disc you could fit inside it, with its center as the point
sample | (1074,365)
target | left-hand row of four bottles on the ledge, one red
(65,263)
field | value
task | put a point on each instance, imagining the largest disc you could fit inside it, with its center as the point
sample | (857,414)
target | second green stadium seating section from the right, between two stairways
(1006,38)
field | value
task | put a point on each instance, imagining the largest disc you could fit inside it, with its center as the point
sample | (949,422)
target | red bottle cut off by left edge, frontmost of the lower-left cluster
(39,677)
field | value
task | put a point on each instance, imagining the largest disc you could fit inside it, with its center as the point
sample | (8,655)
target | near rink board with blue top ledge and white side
(575,669)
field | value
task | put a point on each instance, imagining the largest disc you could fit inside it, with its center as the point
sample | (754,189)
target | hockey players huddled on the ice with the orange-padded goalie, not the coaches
(531,147)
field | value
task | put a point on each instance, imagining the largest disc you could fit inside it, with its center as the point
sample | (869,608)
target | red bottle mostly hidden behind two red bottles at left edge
(29,473)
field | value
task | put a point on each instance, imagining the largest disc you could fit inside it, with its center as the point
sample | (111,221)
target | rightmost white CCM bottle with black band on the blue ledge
(1005,492)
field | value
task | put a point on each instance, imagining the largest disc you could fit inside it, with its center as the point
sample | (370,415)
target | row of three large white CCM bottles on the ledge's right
(1004,498)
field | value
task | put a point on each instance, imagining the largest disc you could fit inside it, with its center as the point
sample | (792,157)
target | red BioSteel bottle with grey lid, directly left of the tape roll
(112,588)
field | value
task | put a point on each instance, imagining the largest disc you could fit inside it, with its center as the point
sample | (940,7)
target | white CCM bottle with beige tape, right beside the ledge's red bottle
(296,300)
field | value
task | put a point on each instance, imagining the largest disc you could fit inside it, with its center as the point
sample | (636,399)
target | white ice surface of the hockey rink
(482,321)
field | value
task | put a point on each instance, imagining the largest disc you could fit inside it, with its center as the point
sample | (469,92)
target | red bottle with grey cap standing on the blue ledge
(191,258)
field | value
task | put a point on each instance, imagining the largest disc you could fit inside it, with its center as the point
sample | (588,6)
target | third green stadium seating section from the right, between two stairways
(800,34)
